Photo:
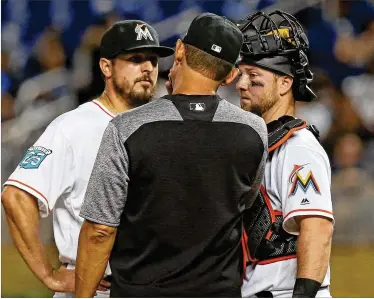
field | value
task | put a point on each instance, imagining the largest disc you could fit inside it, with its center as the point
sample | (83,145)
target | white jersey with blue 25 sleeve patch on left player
(56,170)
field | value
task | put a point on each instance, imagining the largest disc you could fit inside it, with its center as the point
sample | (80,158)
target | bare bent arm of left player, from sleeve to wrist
(22,215)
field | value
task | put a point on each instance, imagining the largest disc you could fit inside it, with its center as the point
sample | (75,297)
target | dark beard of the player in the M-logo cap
(134,99)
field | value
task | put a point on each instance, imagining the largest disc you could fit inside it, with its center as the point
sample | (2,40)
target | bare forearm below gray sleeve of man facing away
(95,245)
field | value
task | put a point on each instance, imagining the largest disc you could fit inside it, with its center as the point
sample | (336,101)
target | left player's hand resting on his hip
(61,280)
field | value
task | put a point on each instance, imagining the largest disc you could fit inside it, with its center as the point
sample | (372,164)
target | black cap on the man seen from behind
(216,36)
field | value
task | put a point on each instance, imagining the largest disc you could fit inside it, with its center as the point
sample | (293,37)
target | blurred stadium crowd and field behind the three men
(49,65)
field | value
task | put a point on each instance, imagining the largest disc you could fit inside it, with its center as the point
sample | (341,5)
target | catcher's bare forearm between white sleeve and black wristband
(313,248)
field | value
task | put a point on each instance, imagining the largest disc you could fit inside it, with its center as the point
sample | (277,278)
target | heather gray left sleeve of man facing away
(107,188)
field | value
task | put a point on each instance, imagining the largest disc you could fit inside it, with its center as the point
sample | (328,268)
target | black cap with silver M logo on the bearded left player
(129,36)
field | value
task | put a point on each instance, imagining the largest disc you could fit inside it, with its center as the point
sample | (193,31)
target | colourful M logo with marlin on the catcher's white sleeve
(297,181)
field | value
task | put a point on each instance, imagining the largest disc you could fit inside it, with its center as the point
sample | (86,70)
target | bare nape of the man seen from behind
(193,83)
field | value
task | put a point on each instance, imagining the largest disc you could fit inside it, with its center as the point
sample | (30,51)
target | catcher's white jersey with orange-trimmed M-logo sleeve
(297,180)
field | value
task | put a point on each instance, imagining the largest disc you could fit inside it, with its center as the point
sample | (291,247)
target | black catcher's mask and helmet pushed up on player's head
(278,43)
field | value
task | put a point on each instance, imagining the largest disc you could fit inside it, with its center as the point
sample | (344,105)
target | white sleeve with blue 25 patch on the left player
(46,170)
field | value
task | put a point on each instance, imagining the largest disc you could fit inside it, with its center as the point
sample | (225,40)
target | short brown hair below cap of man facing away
(209,66)
